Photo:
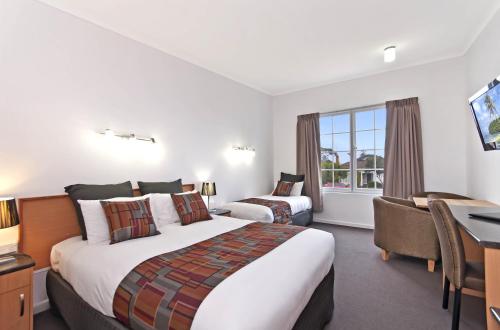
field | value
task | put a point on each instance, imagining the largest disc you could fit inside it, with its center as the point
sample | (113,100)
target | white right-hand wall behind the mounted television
(483,65)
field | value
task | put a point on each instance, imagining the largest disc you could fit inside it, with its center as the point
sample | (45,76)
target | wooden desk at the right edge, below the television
(487,235)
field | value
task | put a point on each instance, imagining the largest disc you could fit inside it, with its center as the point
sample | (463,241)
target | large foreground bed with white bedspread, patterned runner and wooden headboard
(238,274)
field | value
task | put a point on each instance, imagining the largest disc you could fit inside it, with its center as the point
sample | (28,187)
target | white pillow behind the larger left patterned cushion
(95,220)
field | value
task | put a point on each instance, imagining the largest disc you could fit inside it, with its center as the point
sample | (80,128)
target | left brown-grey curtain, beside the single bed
(309,157)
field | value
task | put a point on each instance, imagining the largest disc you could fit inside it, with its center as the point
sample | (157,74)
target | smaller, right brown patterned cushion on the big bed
(191,208)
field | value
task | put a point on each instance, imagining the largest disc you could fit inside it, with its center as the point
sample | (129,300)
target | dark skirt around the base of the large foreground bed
(79,315)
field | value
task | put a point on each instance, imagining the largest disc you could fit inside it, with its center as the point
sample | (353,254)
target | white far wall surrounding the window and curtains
(440,87)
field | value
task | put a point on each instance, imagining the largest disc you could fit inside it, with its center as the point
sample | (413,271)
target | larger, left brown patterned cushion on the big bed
(129,220)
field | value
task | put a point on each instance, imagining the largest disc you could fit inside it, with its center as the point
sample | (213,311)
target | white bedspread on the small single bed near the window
(263,213)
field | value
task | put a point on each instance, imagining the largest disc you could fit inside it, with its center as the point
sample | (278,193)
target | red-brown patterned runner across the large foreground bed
(164,292)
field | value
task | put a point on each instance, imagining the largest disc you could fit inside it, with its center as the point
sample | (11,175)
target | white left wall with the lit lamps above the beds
(61,79)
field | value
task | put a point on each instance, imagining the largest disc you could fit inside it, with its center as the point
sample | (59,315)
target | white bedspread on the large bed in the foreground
(269,293)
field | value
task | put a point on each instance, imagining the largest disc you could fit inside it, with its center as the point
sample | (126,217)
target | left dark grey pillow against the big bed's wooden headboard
(95,191)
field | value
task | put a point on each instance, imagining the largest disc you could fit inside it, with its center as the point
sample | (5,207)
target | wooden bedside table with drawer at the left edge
(16,288)
